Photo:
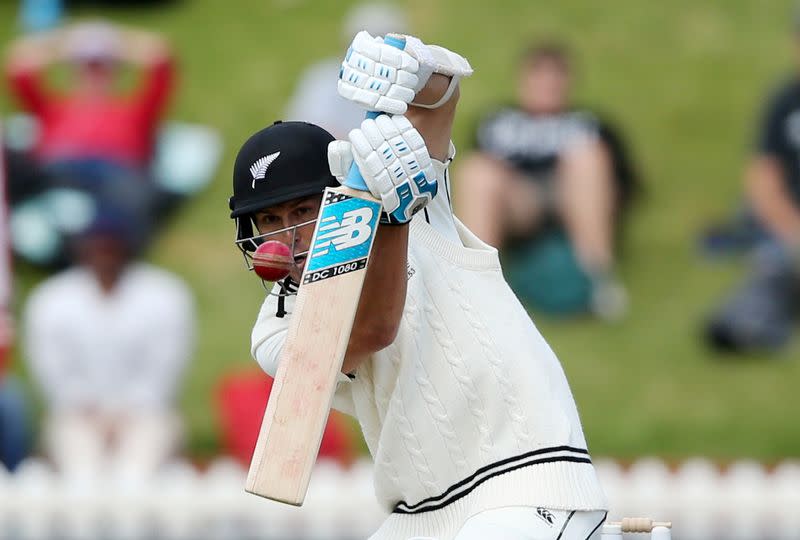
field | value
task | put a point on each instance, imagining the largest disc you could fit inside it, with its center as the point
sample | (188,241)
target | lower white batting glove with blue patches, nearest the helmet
(394,162)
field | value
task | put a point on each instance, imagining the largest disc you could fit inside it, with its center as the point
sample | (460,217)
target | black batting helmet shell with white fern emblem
(284,161)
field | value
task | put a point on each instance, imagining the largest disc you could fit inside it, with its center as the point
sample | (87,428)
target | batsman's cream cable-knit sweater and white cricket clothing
(468,411)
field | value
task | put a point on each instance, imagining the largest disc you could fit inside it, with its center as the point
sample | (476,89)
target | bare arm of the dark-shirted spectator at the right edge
(769,200)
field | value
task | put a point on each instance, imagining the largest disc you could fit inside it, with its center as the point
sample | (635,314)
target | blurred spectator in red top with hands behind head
(92,120)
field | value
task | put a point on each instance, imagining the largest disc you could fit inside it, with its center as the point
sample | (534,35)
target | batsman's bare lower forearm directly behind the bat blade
(382,297)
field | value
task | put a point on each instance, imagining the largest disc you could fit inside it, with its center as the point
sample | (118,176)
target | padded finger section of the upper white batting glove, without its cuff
(377,76)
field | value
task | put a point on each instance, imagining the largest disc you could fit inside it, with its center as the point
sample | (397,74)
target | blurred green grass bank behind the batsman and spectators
(683,79)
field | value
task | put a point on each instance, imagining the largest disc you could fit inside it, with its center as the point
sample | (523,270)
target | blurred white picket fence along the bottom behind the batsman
(744,501)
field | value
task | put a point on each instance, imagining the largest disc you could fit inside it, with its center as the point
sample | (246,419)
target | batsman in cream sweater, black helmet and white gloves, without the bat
(466,410)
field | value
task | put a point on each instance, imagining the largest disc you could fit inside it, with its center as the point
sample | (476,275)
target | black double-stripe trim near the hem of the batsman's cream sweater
(466,486)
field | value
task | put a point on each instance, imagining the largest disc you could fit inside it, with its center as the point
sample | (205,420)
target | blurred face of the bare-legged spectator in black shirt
(544,86)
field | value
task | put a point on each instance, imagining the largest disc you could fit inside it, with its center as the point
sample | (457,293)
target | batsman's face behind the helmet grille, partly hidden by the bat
(293,224)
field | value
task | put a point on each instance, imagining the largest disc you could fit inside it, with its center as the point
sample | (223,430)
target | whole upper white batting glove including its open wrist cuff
(380,77)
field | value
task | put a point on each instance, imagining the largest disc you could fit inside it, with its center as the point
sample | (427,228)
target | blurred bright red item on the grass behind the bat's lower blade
(241,400)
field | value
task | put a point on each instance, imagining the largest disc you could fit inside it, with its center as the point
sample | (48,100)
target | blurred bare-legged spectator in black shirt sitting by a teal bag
(547,185)
